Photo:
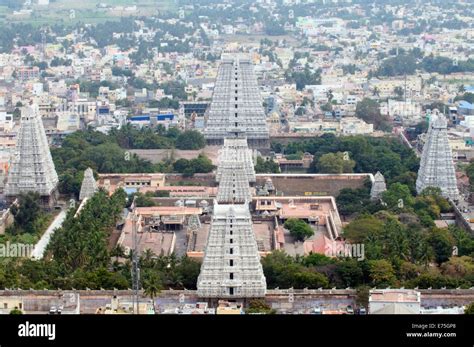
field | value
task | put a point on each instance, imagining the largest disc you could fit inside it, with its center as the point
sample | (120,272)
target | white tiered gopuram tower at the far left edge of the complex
(32,168)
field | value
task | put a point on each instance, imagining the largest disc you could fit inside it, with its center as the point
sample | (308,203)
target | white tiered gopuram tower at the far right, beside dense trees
(437,166)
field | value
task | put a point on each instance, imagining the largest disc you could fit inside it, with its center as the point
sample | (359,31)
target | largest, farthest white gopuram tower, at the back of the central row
(236,110)
